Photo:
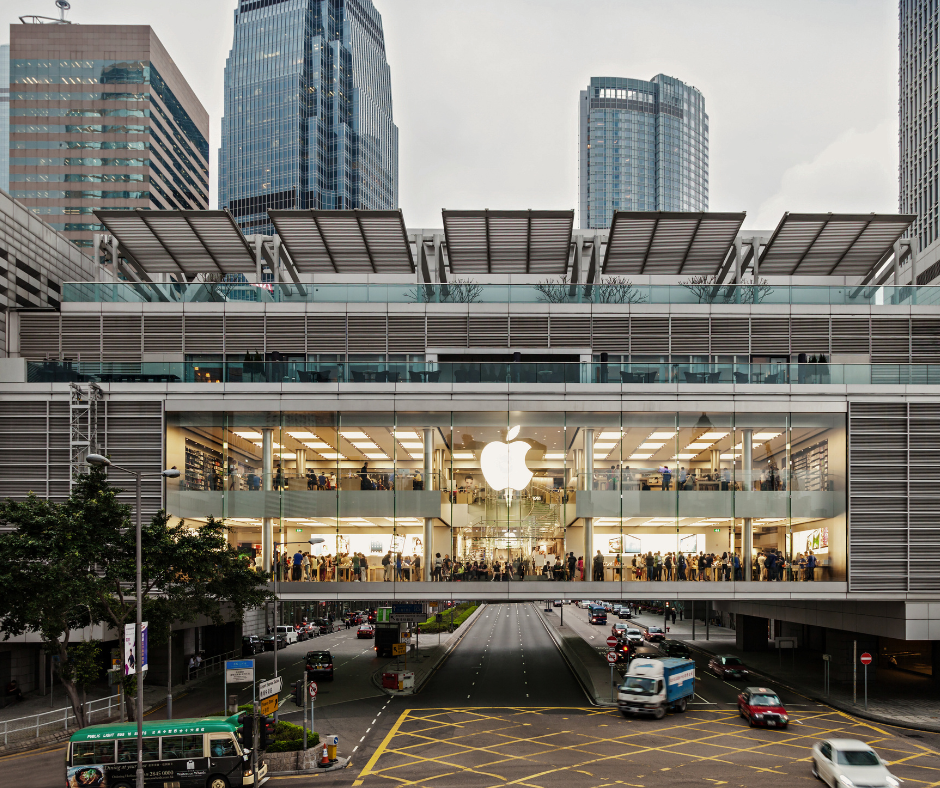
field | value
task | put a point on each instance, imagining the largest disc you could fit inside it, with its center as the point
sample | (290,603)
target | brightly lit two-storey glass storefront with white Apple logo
(636,497)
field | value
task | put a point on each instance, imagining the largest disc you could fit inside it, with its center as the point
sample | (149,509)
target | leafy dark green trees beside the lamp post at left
(72,565)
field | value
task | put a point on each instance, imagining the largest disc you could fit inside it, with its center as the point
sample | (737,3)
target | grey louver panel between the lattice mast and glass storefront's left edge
(133,437)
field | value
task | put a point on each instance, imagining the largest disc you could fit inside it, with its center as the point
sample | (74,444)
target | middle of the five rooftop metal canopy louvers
(508,242)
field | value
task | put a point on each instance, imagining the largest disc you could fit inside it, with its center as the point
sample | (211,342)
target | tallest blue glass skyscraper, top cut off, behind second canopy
(308,111)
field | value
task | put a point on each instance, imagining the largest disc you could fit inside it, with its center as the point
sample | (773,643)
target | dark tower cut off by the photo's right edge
(917,105)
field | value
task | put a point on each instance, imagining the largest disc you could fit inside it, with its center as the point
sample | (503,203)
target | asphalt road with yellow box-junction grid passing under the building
(504,708)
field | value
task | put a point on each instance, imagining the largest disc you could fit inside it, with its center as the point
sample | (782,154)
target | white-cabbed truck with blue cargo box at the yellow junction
(653,686)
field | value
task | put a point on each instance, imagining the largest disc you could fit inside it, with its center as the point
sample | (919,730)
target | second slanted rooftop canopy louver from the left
(345,242)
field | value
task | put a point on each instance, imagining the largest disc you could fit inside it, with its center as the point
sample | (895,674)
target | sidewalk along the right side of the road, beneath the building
(894,697)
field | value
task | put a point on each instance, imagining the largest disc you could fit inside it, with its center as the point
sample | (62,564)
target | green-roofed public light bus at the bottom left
(189,753)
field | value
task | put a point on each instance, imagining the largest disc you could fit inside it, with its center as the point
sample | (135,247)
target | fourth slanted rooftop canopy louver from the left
(659,242)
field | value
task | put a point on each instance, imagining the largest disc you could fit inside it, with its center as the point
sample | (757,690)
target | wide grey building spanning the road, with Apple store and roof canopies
(360,399)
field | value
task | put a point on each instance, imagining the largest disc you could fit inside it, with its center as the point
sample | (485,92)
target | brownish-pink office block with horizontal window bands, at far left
(101,117)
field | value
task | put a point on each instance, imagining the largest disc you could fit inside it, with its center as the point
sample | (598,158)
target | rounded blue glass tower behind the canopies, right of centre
(643,147)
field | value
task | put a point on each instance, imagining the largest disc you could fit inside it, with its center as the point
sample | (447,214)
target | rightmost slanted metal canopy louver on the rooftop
(827,244)
